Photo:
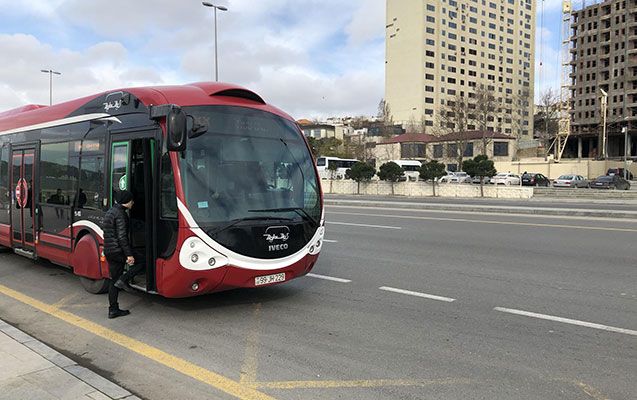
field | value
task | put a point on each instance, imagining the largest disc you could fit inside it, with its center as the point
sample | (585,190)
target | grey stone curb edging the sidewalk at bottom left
(99,383)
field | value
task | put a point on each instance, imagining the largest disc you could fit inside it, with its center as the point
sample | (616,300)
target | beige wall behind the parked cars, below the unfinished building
(590,169)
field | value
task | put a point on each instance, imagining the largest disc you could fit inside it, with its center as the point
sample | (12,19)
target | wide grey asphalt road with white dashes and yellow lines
(402,305)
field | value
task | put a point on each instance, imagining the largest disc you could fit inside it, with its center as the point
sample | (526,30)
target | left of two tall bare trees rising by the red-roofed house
(453,119)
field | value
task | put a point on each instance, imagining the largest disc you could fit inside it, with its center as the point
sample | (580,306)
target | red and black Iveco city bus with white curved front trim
(225,187)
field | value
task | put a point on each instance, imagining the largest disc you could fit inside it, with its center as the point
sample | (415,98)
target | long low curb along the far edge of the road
(619,214)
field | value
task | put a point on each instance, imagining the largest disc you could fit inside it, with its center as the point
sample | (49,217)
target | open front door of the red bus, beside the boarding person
(133,167)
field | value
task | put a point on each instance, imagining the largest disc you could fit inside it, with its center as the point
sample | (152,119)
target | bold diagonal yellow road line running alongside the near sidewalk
(217,381)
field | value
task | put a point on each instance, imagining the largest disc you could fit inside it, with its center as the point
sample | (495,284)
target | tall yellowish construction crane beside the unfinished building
(564,129)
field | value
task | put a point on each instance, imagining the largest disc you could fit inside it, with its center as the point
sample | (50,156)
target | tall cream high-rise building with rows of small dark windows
(437,50)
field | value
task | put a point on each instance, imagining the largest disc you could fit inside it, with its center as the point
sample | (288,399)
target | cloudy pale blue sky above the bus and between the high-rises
(312,58)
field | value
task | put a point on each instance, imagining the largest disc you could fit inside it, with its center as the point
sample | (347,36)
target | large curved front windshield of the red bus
(249,165)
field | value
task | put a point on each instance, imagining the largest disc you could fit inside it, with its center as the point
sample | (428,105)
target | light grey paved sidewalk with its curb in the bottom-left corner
(29,369)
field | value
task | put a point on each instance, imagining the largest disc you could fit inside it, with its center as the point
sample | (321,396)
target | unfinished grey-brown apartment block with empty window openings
(604,60)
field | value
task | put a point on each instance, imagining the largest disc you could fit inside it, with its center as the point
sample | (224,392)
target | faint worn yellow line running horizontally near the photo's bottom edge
(370,383)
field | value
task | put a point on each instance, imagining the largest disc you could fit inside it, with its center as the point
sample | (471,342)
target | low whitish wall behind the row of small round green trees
(424,189)
